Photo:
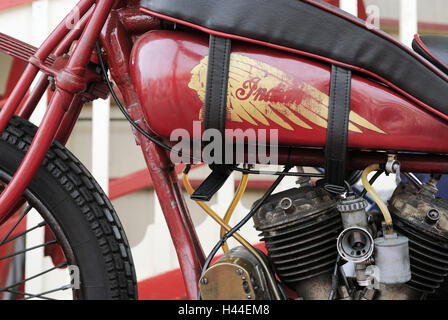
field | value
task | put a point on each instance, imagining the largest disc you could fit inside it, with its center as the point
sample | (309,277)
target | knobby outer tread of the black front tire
(93,204)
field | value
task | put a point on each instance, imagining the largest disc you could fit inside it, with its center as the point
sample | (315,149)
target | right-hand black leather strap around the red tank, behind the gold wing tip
(337,130)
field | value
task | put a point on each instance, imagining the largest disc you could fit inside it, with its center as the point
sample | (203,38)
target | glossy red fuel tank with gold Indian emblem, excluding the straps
(270,89)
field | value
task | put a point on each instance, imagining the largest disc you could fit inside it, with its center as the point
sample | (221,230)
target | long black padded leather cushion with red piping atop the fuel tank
(320,29)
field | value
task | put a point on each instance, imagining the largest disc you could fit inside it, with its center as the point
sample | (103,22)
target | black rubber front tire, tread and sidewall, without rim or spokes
(82,211)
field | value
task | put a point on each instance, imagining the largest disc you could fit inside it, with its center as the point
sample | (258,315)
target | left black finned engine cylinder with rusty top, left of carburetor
(300,227)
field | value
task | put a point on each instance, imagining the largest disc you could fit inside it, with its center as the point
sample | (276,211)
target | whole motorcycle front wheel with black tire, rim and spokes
(83,236)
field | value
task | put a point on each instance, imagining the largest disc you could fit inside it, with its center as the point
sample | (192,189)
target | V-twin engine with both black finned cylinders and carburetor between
(324,246)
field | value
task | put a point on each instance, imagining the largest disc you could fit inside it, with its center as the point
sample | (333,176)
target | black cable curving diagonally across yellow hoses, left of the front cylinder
(255,208)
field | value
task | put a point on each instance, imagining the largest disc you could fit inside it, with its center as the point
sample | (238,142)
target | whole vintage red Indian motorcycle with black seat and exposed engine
(339,94)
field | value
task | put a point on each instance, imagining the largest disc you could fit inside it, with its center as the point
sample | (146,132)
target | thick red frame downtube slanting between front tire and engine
(116,42)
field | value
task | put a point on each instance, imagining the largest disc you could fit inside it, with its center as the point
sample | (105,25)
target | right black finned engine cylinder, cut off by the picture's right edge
(423,218)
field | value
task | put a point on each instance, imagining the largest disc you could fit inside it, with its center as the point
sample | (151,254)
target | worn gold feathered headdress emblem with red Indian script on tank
(259,93)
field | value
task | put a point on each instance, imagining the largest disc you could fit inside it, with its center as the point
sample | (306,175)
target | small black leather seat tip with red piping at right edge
(434,48)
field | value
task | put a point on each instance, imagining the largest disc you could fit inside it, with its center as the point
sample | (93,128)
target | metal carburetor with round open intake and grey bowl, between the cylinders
(381,259)
